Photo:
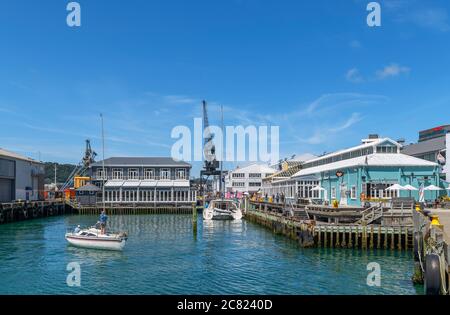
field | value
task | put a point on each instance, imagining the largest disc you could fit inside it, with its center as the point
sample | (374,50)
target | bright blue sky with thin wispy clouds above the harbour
(314,68)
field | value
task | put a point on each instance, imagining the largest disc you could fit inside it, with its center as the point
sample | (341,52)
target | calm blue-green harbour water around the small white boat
(162,256)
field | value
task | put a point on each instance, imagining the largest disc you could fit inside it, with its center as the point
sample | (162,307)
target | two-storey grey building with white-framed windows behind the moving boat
(131,180)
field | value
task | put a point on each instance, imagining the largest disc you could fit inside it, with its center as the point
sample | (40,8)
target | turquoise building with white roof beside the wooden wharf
(364,172)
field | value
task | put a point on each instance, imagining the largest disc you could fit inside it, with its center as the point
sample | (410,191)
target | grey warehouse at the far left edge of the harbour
(21,178)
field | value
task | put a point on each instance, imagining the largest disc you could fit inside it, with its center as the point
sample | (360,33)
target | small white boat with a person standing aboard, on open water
(92,238)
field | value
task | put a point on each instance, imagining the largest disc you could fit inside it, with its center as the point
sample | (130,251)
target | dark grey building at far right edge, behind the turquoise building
(433,146)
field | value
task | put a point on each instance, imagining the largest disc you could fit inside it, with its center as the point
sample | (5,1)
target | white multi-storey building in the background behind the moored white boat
(247,179)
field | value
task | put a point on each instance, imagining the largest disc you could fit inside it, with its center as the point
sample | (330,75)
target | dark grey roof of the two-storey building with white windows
(142,161)
